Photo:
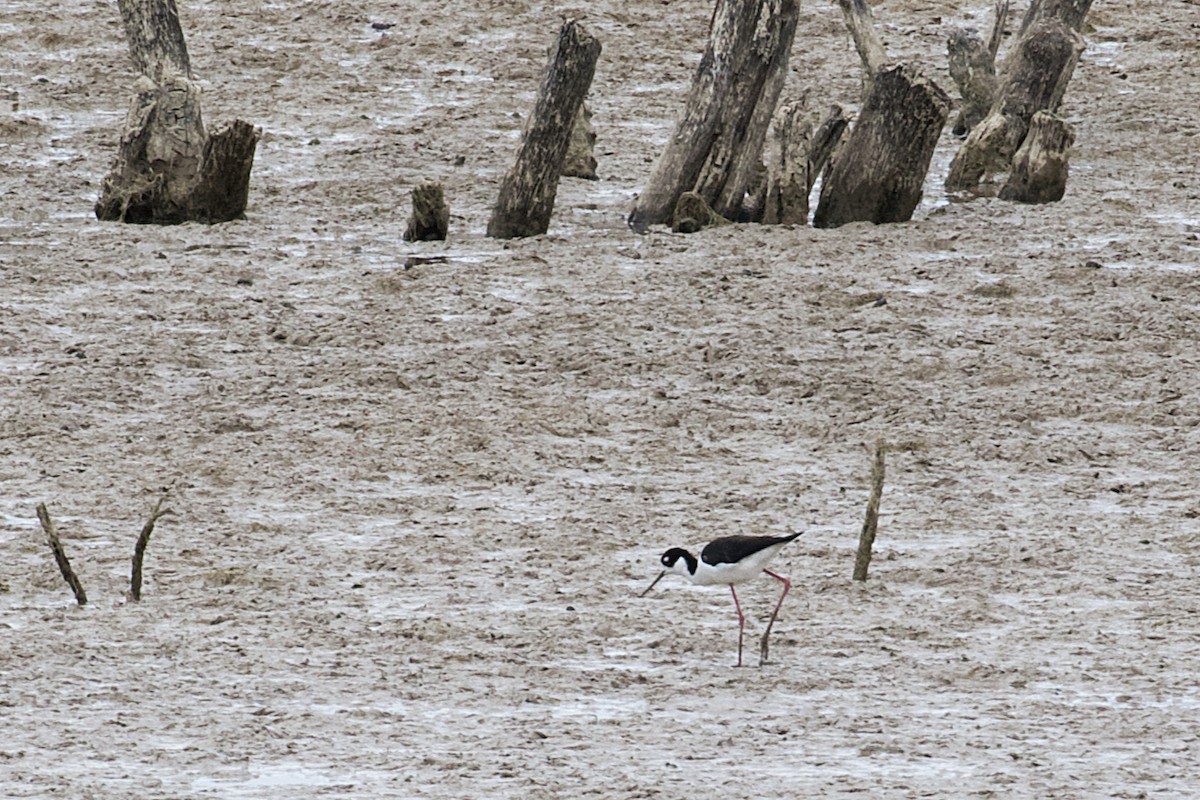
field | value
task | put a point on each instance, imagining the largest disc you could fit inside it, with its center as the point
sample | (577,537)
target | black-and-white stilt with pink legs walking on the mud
(733,561)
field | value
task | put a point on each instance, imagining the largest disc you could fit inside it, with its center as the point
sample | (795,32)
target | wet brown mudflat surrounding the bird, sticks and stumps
(415,506)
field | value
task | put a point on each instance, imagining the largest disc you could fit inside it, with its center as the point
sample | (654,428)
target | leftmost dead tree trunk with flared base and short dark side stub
(169,170)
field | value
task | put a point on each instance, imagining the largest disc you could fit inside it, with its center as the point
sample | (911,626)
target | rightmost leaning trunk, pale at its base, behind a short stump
(1035,79)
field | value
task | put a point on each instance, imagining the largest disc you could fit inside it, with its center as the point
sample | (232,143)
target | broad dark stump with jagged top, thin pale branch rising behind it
(879,175)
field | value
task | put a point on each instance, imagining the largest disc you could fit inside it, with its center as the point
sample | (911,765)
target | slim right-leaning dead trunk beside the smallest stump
(527,194)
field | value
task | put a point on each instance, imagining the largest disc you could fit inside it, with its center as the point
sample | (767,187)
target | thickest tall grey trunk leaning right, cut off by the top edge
(717,147)
